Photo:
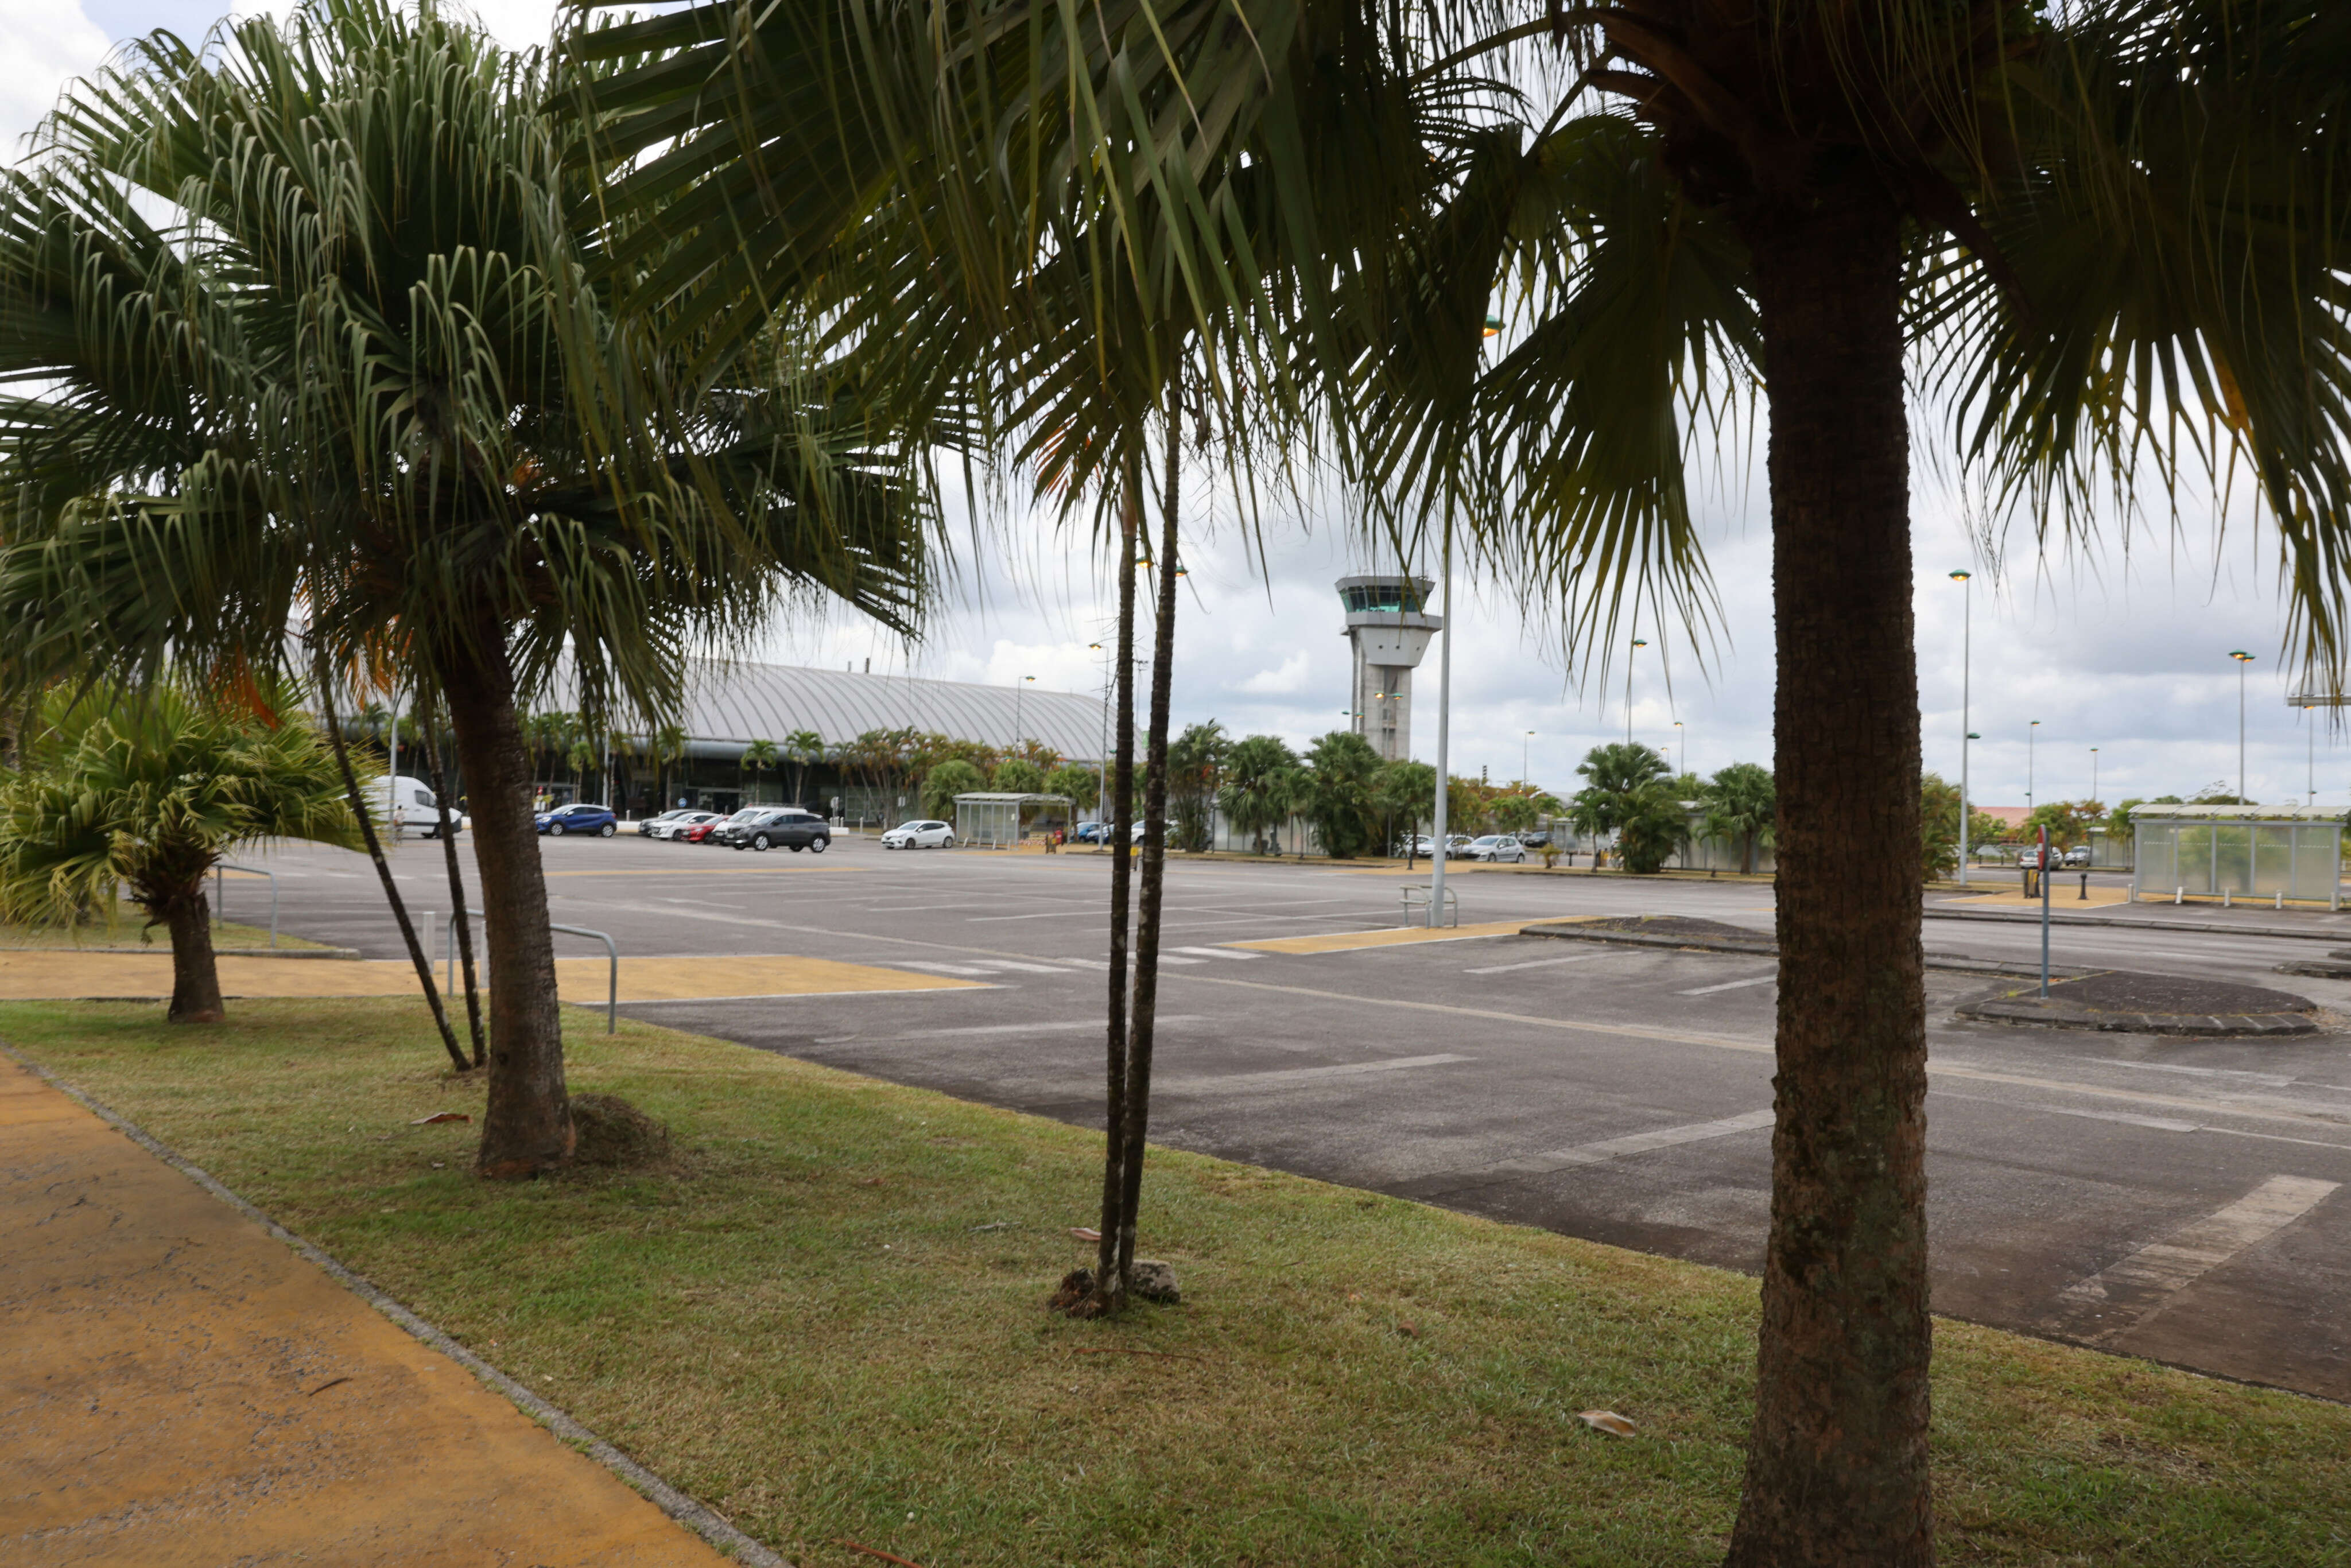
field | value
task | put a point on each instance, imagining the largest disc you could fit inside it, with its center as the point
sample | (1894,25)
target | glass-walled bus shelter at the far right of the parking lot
(2237,852)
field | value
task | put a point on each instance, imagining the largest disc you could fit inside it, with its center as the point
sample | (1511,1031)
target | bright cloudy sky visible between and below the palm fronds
(2124,652)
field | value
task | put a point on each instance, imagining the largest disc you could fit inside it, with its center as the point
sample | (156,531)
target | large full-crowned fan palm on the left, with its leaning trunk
(319,316)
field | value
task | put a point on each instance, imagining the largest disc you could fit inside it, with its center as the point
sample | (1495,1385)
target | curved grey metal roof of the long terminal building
(730,704)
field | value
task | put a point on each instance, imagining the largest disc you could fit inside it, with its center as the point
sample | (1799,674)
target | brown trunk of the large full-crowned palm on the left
(528,1123)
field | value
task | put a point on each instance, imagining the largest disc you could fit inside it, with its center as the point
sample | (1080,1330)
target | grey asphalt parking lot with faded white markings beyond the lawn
(2166,1198)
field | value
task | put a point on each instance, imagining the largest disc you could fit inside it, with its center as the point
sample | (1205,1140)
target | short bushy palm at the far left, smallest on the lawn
(149,791)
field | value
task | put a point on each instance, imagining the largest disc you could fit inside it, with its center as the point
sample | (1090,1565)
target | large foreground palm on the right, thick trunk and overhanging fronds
(2079,225)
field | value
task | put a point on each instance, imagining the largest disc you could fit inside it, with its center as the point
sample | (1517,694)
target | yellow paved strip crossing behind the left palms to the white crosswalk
(48,977)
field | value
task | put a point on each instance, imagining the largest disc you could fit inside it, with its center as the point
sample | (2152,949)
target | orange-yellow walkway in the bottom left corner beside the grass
(182,1388)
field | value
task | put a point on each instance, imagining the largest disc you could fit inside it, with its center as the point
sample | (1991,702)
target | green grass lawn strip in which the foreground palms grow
(826,1320)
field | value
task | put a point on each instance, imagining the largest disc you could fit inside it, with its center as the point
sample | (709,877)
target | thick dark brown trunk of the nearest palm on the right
(1837,1466)
